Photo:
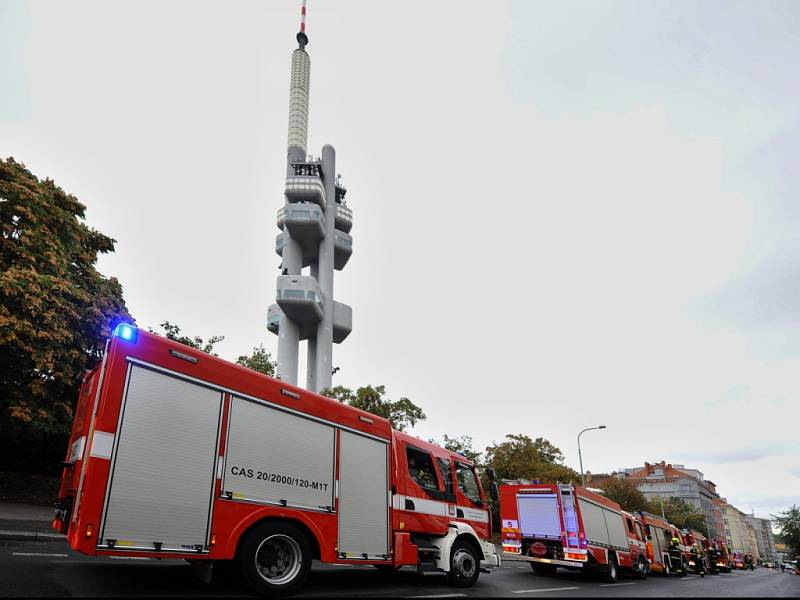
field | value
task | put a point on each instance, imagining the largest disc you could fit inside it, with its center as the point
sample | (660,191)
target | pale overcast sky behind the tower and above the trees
(565,213)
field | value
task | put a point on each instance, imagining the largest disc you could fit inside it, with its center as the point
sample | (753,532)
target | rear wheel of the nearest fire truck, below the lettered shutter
(274,558)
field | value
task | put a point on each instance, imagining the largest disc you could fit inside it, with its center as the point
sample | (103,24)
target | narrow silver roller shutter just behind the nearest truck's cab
(363,497)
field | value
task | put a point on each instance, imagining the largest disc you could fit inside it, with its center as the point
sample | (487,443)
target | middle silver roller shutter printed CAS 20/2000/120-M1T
(278,457)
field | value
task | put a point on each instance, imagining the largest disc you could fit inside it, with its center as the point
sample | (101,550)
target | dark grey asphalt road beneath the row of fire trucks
(48,569)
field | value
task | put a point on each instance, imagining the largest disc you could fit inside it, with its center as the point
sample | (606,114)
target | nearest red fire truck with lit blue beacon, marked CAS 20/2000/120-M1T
(175,453)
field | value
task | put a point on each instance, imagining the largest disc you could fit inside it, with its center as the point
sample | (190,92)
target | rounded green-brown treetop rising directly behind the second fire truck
(521,457)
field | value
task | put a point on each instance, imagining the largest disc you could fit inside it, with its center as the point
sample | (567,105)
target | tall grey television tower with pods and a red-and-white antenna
(315,223)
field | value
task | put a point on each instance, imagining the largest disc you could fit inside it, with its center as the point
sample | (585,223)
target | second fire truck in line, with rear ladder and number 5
(552,525)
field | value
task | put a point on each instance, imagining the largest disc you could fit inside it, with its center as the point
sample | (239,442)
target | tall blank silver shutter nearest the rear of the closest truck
(162,470)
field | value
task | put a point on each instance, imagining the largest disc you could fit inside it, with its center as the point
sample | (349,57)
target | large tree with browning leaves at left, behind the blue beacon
(56,309)
